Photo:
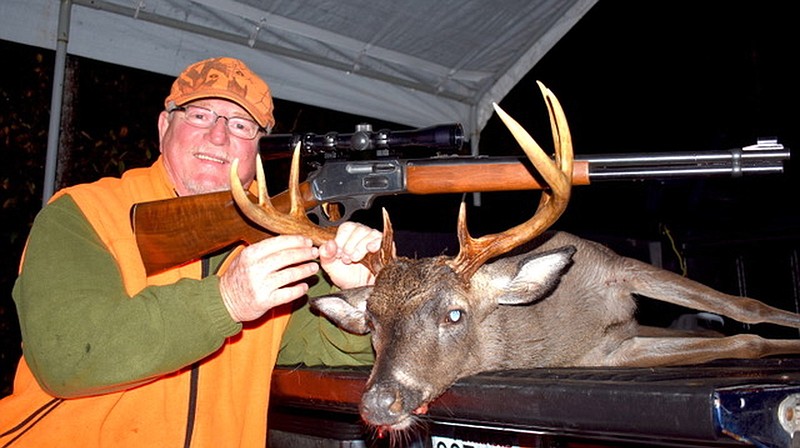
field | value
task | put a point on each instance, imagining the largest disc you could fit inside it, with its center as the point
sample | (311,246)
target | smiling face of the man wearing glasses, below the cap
(199,160)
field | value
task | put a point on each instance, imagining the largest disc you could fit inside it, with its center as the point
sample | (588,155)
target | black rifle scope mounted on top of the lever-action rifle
(447,137)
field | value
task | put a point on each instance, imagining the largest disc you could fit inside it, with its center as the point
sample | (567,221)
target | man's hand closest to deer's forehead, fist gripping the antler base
(340,257)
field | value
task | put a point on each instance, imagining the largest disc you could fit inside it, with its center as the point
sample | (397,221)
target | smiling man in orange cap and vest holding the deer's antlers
(114,358)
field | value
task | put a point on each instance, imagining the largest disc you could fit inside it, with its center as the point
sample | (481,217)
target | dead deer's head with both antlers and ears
(425,315)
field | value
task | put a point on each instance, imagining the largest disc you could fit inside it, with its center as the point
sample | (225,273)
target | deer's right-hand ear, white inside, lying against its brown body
(536,276)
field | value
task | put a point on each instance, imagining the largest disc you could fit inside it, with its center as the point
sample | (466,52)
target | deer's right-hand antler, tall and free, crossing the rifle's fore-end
(557,176)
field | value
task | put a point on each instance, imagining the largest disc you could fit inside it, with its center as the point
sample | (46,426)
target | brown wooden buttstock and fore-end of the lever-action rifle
(172,232)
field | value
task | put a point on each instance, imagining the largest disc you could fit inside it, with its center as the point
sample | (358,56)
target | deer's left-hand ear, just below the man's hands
(345,308)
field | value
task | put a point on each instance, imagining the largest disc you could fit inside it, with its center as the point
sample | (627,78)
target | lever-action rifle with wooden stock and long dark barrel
(172,232)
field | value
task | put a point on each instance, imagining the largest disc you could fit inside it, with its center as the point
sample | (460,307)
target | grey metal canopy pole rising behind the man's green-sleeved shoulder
(53,134)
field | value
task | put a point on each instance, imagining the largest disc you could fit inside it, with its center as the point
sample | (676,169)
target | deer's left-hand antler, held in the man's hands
(296,222)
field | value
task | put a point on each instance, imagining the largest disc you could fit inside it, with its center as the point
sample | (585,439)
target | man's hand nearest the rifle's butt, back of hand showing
(268,274)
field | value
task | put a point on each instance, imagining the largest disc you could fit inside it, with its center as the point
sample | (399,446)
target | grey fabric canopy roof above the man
(413,62)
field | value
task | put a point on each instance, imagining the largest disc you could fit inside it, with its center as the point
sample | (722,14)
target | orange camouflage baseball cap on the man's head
(225,78)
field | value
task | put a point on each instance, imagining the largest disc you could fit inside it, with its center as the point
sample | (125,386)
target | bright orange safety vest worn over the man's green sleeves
(226,395)
